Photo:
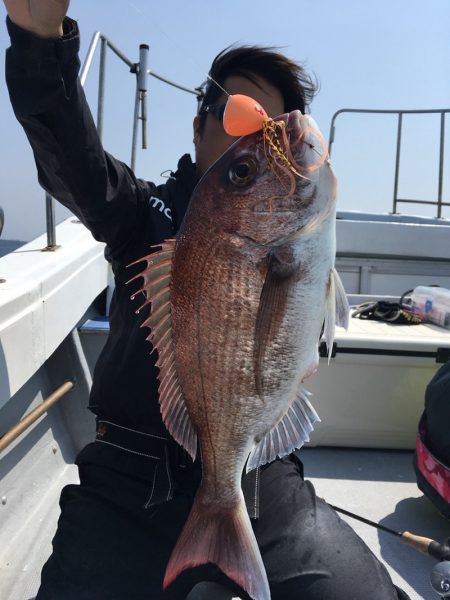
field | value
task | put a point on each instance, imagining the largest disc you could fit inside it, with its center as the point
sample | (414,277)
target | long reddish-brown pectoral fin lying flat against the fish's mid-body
(281,274)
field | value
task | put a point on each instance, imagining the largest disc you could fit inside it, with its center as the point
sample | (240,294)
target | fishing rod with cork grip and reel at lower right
(440,575)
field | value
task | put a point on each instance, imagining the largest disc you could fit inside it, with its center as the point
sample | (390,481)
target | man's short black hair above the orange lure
(290,78)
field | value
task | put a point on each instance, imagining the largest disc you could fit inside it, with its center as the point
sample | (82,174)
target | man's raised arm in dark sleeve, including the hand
(42,75)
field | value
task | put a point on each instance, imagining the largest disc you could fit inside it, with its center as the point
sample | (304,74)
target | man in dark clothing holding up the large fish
(118,527)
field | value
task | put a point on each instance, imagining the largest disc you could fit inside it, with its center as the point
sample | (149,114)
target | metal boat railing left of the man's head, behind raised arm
(141,71)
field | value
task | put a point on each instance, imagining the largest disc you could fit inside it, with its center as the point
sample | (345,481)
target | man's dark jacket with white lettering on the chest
(126,213)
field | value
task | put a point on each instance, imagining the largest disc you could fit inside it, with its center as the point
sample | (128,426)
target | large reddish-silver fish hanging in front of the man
(239,299)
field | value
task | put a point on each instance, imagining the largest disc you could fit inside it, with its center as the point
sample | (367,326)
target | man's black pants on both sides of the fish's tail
(109,546)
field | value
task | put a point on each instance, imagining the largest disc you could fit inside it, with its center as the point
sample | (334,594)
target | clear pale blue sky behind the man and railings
(365,54)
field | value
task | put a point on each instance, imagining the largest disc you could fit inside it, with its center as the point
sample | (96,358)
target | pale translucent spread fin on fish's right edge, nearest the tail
(290,433)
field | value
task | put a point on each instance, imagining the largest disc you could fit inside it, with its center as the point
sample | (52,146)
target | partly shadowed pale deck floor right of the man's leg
(380,485)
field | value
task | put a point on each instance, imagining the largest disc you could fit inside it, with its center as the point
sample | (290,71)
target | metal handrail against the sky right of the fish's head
(442,111)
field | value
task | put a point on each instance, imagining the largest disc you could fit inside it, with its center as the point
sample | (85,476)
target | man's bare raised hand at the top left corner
(42,17)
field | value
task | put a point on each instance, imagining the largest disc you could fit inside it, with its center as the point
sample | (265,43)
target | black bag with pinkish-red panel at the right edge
(432,455)
